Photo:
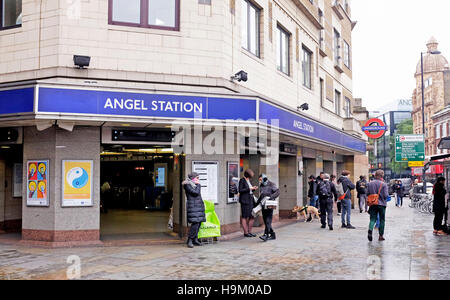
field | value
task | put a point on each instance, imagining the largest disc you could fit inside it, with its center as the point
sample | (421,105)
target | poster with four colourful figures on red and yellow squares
(37,183)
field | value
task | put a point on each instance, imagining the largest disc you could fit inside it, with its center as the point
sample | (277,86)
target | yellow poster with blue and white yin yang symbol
(77,183)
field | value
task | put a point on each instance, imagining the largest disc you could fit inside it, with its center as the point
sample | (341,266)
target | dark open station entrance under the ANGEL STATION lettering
(138,184)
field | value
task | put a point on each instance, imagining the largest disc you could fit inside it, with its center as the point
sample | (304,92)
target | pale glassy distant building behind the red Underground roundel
(392,115)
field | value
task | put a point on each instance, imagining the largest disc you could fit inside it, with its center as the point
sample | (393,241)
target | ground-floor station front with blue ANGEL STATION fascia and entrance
(101,164)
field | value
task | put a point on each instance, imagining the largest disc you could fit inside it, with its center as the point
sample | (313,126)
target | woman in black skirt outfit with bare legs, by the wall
(247,201)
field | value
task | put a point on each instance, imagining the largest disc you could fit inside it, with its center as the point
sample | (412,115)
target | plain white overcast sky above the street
(387,42)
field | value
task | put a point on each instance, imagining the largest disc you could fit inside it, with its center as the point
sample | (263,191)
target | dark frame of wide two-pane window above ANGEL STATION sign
(144,14)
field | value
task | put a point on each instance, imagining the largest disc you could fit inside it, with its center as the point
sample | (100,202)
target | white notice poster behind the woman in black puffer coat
(209,179)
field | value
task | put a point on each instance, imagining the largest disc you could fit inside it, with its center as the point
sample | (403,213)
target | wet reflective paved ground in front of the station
(301,251)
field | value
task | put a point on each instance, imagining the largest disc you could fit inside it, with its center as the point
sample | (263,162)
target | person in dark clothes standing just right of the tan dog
(326,190)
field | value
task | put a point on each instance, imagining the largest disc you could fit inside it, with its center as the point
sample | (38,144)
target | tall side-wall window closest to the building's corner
(250,27)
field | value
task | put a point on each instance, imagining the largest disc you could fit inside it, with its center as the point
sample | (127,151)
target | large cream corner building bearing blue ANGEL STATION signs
(154,62)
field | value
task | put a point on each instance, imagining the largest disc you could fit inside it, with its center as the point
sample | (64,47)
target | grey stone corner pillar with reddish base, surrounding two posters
(56,225)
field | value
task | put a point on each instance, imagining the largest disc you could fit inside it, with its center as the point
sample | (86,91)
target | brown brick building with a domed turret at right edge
(437,96)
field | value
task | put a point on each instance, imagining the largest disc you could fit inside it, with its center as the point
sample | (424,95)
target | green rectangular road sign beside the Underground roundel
(410,148)
